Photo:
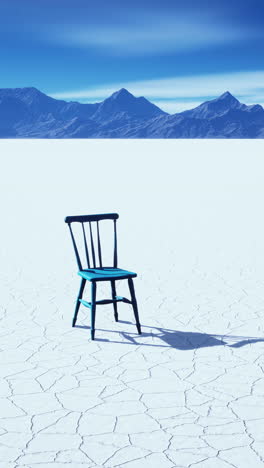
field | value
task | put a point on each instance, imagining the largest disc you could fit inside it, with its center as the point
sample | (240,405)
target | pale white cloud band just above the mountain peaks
(181,93)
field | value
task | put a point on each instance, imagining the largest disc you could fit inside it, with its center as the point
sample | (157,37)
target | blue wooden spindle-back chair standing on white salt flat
(99,273)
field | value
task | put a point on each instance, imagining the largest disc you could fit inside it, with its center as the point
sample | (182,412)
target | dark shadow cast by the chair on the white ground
(176,339)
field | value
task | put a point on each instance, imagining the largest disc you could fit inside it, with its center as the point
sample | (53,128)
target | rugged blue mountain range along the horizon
(29,113)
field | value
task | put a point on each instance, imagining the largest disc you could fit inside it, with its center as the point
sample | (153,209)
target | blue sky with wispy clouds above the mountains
(175,53)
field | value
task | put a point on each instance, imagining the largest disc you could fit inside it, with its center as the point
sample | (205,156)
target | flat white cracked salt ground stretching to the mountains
(188,392)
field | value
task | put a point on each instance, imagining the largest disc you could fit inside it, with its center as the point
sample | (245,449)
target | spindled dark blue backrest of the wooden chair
(89,244)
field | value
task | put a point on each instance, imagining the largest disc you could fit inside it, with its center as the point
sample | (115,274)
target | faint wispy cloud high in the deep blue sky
(153,34)
